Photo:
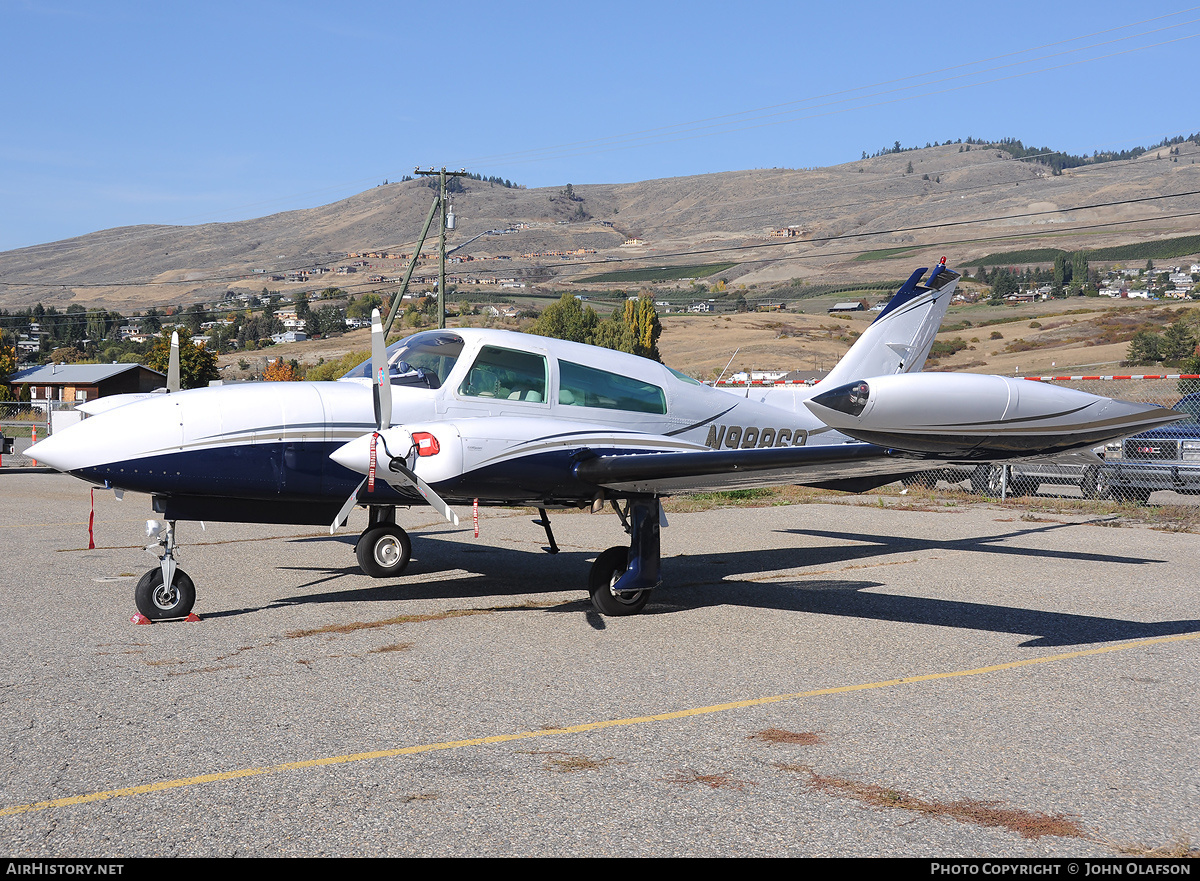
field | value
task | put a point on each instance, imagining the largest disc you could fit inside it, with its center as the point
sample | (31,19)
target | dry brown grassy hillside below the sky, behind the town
(872,205)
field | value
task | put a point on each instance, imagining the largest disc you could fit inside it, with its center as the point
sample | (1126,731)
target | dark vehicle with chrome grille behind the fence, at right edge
(1160,459)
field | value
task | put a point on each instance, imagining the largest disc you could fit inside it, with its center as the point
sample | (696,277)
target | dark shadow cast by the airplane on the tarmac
(447,570)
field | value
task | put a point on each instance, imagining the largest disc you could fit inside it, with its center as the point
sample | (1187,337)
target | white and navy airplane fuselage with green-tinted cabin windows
(513,415)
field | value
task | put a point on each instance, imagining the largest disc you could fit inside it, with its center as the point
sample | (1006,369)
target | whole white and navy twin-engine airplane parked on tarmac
(511,419)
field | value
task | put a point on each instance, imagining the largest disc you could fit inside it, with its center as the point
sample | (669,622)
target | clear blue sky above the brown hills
(123,113)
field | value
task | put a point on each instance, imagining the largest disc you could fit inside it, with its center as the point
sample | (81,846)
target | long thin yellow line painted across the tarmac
(164,786)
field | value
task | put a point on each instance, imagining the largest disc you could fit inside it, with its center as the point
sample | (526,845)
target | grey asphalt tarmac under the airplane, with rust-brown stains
(821,680)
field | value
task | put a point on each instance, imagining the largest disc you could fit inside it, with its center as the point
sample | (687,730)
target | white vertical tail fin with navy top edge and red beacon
(899,340)
